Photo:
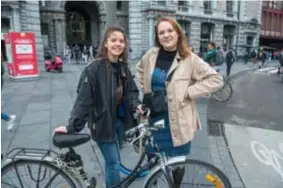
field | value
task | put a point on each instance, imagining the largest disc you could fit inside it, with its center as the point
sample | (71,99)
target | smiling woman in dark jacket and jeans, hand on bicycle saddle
(107,90)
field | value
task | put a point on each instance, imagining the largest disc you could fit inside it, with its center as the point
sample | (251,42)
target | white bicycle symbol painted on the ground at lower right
(268,157)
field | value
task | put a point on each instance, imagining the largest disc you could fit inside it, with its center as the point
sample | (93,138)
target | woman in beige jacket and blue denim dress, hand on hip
(172,77)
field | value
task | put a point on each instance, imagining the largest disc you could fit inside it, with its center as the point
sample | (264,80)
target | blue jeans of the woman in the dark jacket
(111,154)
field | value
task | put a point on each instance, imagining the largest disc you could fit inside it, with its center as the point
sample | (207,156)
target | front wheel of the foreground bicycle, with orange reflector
(190,174)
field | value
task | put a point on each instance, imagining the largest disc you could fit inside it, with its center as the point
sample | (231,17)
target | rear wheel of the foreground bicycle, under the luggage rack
(33,173)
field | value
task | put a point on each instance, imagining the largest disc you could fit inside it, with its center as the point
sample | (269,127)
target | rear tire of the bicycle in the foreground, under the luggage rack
(5,169)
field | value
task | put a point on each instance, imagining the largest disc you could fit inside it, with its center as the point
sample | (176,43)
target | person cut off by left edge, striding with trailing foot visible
(10,119)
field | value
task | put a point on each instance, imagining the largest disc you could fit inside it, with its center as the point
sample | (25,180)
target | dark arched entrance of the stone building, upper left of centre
(82,22)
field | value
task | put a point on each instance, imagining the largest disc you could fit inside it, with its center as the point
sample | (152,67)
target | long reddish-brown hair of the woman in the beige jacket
(182,44)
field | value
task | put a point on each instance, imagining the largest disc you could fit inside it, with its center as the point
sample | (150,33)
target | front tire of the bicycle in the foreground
(225,181)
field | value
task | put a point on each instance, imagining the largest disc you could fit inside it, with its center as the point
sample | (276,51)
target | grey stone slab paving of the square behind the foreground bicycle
(45,103)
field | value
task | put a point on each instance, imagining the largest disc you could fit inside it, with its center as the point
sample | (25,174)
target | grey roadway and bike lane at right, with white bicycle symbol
(251,126)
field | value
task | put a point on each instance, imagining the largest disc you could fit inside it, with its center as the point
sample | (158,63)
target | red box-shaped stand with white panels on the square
(21,55)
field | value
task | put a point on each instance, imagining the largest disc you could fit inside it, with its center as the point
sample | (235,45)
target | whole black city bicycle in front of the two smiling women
(70,167)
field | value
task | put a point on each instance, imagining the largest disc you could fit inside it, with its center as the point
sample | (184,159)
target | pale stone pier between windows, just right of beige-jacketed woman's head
(195,35)
